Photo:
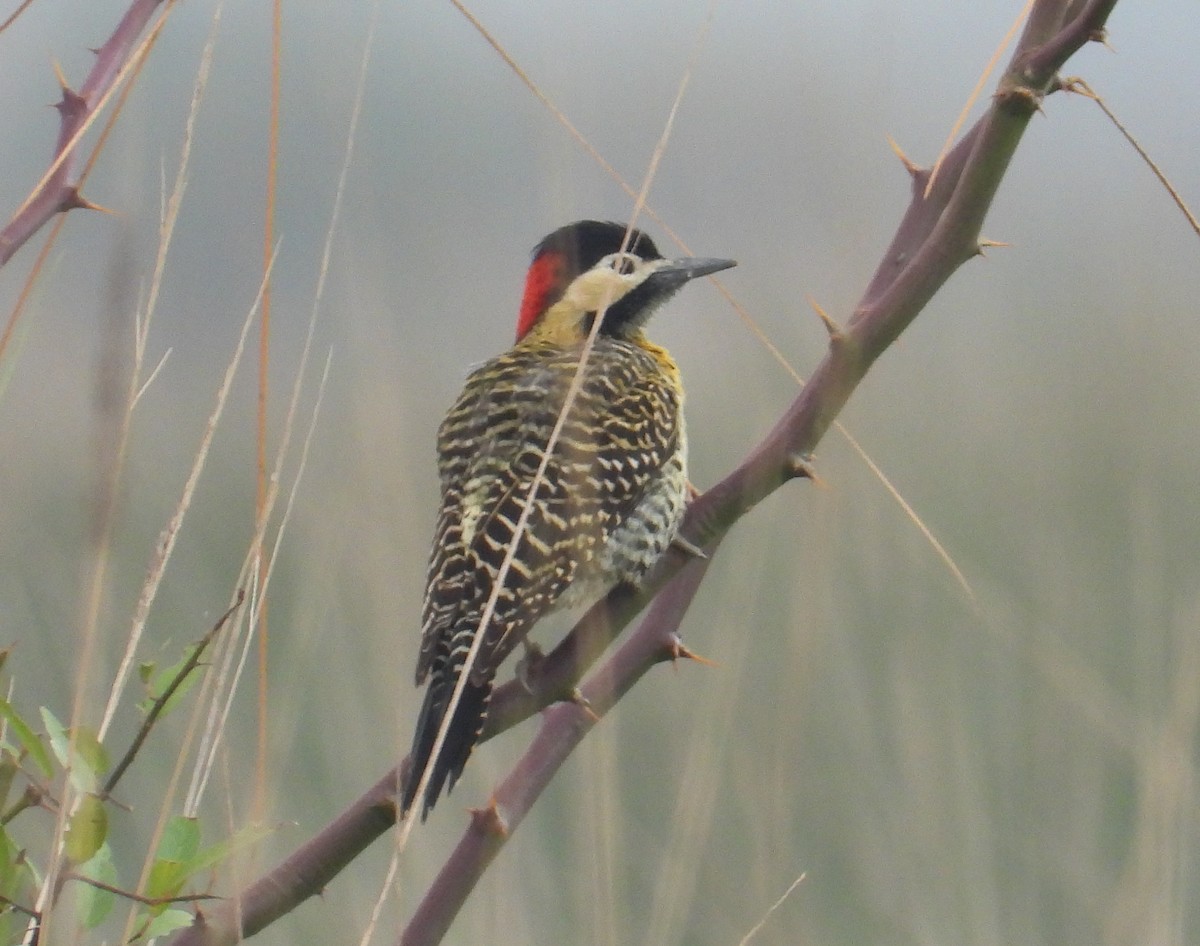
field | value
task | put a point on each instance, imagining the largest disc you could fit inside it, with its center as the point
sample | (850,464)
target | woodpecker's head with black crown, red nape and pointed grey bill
(581,270)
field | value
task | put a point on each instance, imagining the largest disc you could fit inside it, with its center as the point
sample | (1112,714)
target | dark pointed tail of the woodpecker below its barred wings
(461,737)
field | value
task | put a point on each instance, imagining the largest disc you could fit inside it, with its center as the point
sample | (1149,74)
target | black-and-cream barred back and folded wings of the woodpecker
(491,446)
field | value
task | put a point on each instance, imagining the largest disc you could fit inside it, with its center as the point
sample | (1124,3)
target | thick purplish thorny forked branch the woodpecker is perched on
(939,233)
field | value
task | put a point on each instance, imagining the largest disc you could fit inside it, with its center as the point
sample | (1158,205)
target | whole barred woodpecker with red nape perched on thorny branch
(614,492)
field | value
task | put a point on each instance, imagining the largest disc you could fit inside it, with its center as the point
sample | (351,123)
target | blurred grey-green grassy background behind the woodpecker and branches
(1015,769)
